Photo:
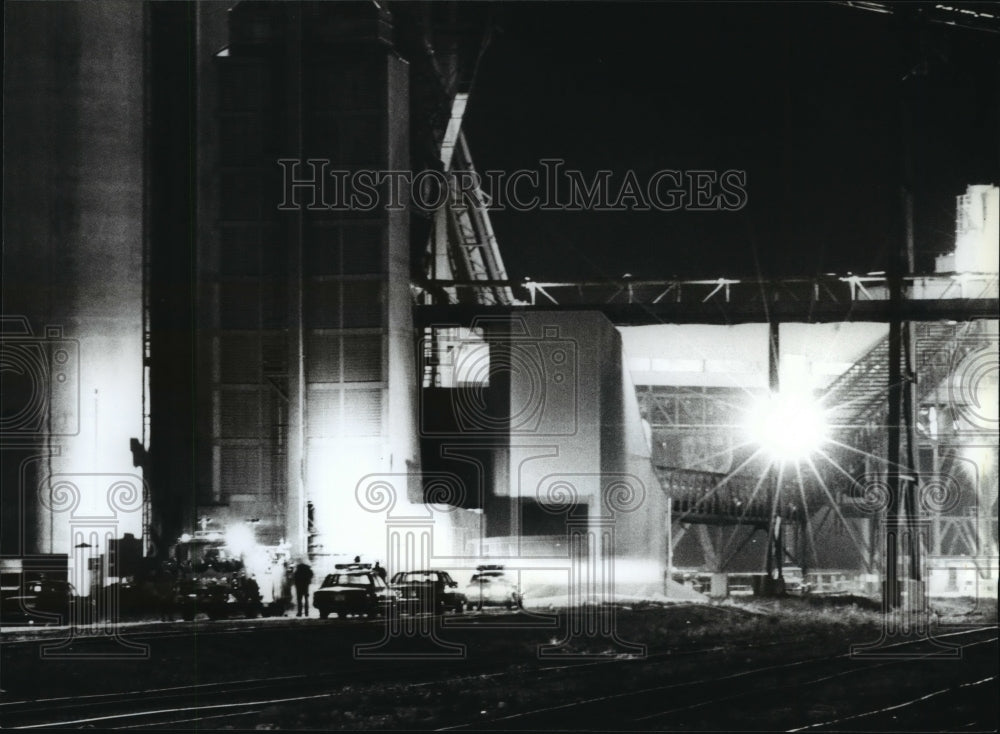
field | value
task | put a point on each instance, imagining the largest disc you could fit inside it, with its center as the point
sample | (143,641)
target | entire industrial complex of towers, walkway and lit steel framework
(370,381)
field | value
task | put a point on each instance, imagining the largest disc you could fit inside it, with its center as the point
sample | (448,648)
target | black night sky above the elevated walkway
(804,98)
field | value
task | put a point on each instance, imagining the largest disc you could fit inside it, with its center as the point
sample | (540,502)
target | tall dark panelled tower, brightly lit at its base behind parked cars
(311,340)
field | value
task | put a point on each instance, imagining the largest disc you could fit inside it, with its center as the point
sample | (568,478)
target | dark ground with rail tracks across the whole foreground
(748,664)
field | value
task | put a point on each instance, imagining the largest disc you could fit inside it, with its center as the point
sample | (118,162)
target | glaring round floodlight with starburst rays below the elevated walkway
(788,426)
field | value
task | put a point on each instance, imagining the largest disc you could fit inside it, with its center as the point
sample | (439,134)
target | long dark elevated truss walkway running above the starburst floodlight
(627,302)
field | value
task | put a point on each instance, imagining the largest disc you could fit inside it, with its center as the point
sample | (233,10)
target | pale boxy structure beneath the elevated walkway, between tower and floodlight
(576,436)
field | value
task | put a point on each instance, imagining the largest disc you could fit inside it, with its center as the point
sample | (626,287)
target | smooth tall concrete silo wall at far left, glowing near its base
(73,234)
